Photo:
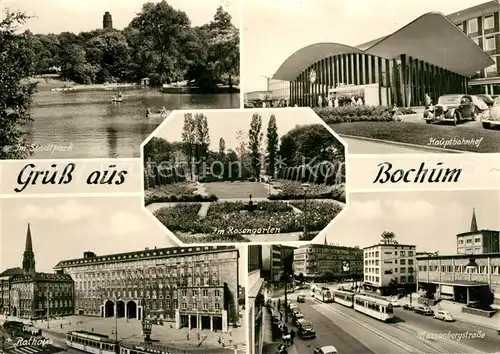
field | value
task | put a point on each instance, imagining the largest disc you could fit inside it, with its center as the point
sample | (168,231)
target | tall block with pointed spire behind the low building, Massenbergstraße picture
(478,241)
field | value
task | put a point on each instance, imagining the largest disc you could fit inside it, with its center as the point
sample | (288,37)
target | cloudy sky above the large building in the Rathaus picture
(63,228)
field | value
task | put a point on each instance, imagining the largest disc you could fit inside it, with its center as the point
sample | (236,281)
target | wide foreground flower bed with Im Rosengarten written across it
(223,218)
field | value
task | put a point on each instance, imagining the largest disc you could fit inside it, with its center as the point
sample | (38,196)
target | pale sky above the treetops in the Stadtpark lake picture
(56,16)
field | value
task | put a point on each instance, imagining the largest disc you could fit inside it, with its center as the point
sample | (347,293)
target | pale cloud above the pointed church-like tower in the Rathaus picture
(65,213)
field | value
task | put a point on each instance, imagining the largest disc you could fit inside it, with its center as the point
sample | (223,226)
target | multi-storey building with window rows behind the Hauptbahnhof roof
(481,24)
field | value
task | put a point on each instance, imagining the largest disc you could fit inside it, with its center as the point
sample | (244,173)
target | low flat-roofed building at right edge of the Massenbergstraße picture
(453,278)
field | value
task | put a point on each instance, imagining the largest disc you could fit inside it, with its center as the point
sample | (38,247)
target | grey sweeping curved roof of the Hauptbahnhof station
(432,38)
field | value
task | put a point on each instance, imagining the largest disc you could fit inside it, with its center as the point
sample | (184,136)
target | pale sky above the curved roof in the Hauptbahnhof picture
(275,29)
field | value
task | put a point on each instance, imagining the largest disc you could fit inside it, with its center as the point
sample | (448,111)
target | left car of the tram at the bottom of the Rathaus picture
(90,342)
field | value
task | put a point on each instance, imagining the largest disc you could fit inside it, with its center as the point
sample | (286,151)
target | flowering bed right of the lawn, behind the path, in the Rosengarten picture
(291,190)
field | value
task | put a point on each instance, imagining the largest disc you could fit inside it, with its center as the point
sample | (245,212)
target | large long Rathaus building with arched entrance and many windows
(197,287)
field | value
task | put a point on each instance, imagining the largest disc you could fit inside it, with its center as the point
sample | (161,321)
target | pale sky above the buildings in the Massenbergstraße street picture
(429,220)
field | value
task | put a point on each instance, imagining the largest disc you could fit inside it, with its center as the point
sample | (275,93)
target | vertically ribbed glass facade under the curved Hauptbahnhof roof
(403,81)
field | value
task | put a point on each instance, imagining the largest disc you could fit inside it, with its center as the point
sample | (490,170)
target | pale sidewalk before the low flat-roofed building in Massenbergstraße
(455,309)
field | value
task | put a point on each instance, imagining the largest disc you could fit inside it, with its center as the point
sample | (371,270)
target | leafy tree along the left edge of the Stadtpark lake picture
(17,65)
